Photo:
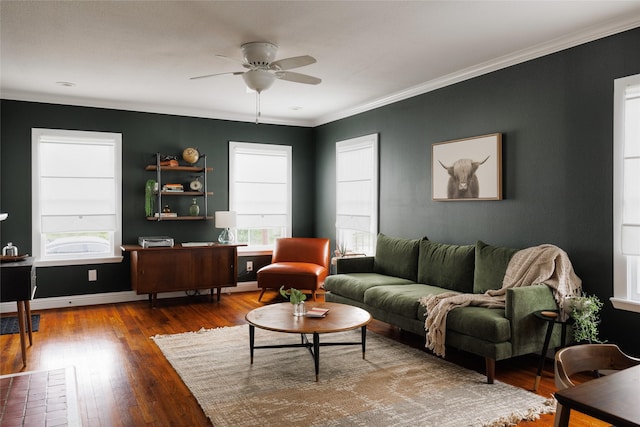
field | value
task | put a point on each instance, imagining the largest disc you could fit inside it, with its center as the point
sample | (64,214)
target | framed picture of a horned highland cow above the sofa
(467,169)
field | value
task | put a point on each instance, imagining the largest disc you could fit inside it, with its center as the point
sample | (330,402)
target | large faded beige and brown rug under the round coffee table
(396,385)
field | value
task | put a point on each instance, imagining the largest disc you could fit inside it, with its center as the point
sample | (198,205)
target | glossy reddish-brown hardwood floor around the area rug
(123,379)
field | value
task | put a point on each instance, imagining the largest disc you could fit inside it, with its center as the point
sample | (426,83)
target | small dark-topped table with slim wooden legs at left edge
(19,284)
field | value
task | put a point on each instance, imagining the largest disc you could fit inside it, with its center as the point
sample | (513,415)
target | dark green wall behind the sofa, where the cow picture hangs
(556,117)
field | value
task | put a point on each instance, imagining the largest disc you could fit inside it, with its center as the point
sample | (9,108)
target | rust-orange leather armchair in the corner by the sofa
(297,262)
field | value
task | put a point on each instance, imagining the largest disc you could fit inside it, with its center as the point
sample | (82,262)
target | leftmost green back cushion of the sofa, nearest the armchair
(396,257)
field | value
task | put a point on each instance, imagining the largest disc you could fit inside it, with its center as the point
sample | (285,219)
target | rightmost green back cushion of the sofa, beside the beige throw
(490,266)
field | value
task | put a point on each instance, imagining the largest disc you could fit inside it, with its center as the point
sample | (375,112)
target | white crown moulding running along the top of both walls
(596,32)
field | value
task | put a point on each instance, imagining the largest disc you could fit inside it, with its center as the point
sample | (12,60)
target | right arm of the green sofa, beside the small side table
(527,331)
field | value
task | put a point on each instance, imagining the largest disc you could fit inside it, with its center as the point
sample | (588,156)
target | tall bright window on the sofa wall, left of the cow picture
(357,194)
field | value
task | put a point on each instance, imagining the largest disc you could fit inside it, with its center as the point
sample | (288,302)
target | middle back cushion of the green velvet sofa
(446,266)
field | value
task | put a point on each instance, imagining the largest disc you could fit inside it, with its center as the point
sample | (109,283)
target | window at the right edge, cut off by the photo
(626,194)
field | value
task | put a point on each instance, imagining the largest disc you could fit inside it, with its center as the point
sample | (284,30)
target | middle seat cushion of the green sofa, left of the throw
(400,299)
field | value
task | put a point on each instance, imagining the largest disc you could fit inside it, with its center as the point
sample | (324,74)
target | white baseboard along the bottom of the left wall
(110,298)
